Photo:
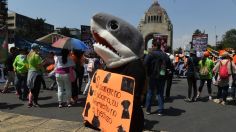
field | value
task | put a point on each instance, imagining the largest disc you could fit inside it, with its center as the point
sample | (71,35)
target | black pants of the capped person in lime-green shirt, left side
(35,91)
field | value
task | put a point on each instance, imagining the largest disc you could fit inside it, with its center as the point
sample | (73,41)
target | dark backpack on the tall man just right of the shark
(158,66)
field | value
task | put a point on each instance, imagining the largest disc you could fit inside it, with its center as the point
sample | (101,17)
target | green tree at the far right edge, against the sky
(229,39)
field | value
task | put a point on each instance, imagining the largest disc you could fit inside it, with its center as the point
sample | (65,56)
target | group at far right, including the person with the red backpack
(220,72)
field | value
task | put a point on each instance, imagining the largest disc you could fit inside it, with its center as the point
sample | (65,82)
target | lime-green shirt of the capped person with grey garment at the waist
(34,61)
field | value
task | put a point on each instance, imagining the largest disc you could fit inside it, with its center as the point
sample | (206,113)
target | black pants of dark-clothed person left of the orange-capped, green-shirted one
(192,83)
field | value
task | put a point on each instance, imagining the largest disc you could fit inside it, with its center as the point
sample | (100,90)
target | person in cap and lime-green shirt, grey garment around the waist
(35,72)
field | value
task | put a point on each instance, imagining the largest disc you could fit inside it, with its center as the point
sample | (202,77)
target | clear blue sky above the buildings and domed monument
(215,17)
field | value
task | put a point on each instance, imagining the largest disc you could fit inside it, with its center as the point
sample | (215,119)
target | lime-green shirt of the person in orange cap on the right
(210,65)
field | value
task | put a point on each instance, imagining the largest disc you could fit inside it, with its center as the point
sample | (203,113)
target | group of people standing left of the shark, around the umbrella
(68,70)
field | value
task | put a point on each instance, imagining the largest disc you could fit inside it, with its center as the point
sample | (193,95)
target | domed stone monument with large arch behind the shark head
(156,26)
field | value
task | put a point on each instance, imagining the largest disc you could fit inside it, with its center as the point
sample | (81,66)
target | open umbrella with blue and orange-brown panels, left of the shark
(70,43)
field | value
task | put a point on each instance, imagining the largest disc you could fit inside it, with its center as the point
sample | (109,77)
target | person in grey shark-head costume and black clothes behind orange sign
(120,45)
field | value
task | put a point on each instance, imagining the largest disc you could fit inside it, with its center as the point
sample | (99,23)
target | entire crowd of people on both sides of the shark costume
(67,71)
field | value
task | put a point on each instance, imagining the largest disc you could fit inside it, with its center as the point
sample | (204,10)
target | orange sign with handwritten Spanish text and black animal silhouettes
(109,103)
